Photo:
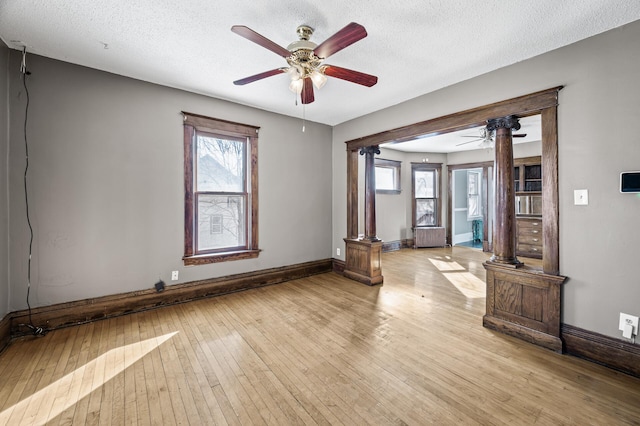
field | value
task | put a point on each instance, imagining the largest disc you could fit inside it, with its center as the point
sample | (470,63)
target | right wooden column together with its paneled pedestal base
(521,301)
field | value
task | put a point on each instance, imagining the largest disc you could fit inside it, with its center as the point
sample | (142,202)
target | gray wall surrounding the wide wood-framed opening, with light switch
(598,139)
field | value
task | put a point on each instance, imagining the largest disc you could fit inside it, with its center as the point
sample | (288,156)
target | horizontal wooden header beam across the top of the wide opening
(521,106)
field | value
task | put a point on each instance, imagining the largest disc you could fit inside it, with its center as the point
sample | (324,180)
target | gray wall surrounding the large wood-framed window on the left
(106,185)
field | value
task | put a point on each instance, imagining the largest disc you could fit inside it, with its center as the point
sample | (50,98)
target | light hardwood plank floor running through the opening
(320,350)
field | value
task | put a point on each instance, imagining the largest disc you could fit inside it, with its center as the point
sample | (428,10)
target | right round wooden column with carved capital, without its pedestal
(504,234)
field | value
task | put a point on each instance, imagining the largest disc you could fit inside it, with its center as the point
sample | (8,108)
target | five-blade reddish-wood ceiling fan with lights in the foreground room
(305,59)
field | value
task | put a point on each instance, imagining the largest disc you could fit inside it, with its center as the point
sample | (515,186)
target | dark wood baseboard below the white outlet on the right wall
(608,351)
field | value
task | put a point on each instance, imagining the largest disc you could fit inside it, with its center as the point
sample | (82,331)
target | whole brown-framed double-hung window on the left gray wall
(221,190)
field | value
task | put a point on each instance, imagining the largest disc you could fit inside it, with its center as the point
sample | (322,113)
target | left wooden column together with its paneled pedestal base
(363,257)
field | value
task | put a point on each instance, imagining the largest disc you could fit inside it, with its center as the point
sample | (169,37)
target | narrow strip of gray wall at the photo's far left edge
(4,176)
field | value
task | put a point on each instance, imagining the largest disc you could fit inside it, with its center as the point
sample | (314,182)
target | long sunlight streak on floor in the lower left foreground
(39,408)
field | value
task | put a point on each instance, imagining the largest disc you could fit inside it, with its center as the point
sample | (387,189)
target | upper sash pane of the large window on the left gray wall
(220,164)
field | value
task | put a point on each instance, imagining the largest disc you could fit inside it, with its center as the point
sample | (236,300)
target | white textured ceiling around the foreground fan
(413,46)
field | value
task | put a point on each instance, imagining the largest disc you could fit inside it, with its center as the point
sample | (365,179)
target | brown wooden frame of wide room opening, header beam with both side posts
(544,102)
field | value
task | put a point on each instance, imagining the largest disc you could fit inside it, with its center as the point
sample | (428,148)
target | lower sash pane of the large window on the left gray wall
(220,222)
